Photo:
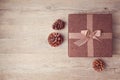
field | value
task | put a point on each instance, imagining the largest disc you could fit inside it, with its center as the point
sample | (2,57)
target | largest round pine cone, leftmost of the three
(55,39)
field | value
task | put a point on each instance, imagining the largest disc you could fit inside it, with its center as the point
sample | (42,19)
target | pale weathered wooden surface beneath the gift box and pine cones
(24,50)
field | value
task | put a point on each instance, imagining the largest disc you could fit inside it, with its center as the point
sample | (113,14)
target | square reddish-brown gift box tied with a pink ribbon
(95,46)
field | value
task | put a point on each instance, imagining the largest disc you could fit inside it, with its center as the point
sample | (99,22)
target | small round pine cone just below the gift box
(98,65)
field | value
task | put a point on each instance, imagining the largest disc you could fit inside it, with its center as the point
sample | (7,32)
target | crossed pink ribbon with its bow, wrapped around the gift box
(87,36)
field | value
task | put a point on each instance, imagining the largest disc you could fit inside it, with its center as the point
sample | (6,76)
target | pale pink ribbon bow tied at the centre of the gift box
(86,35)
